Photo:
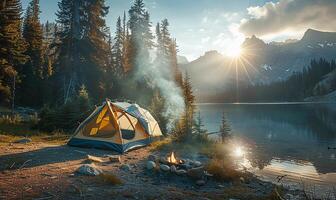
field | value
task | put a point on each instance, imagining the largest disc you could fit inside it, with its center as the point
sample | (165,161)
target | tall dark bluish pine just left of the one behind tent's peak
(68,66)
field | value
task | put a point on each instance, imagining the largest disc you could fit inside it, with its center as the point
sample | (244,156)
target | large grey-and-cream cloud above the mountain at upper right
(290,16)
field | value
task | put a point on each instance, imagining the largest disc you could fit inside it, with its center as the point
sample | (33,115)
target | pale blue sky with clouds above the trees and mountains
(222,25)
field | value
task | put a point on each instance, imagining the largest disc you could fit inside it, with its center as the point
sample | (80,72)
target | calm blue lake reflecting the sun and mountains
(290,139)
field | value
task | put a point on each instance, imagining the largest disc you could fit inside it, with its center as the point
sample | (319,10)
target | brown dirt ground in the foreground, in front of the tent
(45,171)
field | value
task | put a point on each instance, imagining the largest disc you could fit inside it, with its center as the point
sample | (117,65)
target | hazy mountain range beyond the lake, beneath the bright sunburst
(260,62)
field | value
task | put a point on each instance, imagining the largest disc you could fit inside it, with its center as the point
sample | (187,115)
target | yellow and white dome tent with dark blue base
(116,126)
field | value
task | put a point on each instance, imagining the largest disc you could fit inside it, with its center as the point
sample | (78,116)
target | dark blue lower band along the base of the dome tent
(121,148)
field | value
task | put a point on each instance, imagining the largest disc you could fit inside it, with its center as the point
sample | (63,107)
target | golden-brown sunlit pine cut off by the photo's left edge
(12,46)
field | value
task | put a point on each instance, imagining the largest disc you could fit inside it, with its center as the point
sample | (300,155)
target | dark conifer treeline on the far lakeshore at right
(296,88)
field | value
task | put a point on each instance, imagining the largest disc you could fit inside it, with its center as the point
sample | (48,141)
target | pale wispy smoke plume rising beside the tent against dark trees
(161,76)
